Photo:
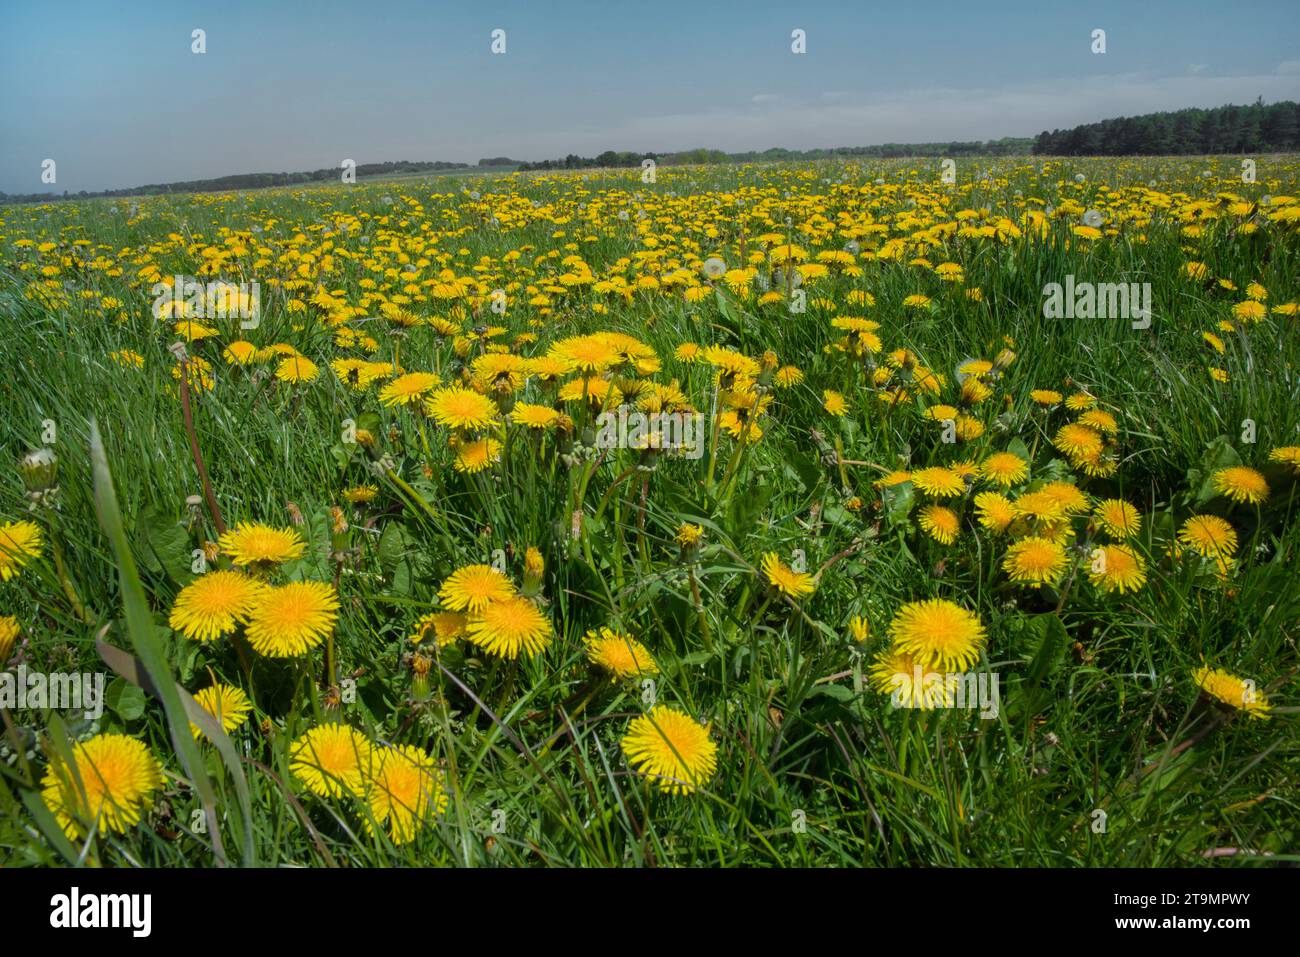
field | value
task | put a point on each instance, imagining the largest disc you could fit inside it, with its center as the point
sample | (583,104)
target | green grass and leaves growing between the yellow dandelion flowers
(1099,711)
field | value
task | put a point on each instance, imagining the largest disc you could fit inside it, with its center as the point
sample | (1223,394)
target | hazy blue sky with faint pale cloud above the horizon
(116,97)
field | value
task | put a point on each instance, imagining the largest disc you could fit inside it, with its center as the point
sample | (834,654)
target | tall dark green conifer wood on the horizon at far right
(1251,129)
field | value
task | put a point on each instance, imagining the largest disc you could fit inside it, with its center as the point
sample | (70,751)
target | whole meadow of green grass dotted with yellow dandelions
(840,514)
